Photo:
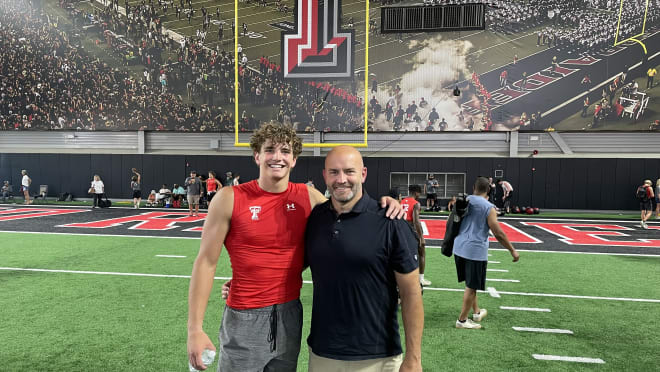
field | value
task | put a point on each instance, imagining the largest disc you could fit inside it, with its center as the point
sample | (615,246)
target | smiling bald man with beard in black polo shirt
(357,259)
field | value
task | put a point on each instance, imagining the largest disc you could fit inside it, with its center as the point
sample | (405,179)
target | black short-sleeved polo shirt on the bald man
(353,258)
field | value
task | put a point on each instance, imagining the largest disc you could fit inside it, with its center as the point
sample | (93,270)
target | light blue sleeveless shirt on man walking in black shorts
(472,239)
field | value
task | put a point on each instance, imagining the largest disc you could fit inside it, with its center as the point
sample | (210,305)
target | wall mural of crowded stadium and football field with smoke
(188,66)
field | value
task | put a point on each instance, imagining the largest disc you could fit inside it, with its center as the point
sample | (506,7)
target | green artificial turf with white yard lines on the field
(85,322)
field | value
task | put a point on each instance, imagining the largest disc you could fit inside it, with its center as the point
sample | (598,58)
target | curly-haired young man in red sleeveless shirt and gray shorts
(262,225)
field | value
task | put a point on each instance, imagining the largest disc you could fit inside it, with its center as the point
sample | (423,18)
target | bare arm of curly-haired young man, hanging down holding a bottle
(214,233)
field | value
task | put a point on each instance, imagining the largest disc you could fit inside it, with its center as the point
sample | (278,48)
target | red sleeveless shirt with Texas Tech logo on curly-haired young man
(266,244)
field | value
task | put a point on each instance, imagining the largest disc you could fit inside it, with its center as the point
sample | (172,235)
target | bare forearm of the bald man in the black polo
(412,312)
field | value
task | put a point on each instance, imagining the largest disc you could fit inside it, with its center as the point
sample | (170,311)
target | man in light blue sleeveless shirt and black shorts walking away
(471,251)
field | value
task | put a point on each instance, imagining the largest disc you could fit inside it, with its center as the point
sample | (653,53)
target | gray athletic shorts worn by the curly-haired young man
(265,339)
